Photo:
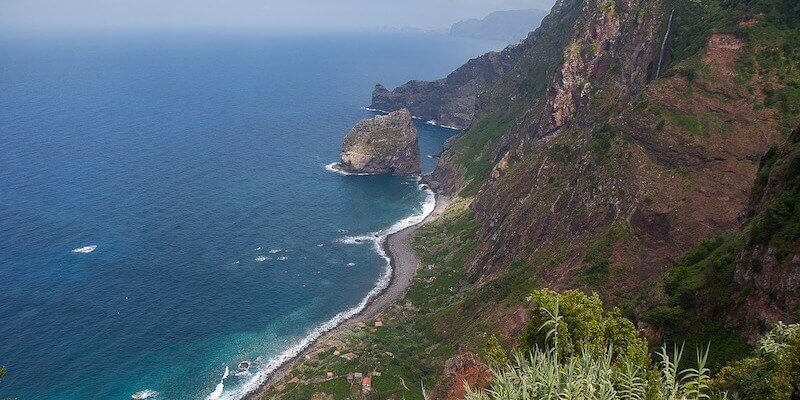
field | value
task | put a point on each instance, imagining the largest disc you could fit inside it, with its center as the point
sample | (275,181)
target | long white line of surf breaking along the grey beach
(377,239)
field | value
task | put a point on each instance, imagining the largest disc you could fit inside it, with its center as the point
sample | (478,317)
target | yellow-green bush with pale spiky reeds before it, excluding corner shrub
(566,362)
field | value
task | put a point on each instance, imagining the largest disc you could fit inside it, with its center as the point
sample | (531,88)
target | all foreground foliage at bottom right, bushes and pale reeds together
(579,353)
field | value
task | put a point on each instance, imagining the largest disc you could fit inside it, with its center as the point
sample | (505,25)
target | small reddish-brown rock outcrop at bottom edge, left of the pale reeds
(465,368)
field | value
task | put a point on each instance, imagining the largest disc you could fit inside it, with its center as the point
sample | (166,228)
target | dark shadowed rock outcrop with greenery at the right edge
(769,264)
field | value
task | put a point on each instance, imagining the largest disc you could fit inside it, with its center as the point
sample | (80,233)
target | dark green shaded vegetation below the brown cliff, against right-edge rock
(700,290)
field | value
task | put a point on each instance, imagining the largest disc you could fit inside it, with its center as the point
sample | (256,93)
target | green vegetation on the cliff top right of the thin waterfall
(770,28)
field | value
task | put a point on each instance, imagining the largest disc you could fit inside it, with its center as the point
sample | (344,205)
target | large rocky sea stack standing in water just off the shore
(386,144)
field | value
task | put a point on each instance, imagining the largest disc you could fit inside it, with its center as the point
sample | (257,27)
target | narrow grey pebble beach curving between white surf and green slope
(403,262)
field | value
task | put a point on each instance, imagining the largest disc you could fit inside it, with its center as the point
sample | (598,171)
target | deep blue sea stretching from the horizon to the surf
(195,163)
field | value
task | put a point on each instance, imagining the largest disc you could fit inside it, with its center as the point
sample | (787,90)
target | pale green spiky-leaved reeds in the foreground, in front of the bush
(547,373)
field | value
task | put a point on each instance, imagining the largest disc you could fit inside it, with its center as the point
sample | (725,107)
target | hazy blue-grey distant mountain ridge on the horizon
(508,26)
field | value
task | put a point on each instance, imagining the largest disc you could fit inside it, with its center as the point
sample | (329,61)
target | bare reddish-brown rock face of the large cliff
(643,185)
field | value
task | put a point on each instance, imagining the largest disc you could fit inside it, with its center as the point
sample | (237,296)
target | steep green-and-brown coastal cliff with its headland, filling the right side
(622,149)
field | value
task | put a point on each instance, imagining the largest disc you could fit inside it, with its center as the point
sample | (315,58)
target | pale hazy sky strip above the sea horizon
(180,14)
